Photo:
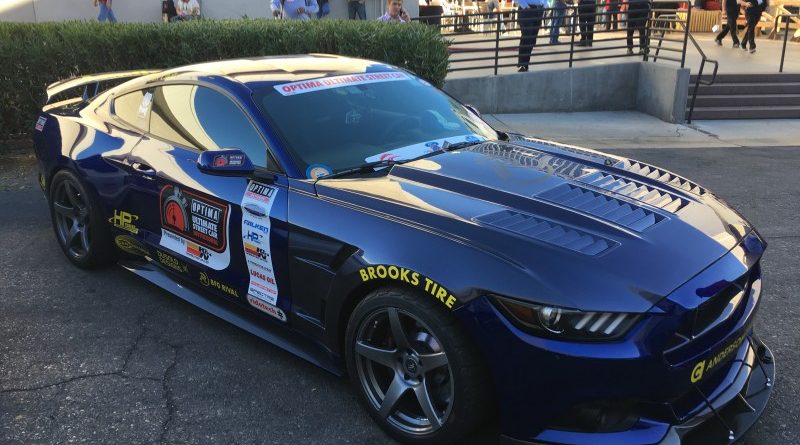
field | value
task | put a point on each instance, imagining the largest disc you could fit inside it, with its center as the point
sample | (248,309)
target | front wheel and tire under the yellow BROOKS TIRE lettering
(435,362)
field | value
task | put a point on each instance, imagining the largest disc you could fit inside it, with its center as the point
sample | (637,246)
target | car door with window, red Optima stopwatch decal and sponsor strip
(227,235)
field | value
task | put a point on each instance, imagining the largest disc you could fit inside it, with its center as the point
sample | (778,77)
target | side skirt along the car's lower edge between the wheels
(280,336)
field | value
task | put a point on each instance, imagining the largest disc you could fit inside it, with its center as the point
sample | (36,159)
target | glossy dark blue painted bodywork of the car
(430,216)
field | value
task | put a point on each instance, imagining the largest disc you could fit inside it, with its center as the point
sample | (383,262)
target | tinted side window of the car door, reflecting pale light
(205,119)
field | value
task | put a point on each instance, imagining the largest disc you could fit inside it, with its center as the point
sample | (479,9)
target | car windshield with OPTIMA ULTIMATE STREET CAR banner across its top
(336,123)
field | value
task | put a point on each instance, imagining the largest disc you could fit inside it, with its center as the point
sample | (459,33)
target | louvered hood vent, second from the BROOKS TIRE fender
(605,207)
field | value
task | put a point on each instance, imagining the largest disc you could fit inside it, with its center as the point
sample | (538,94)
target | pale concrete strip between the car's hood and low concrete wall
(631,129)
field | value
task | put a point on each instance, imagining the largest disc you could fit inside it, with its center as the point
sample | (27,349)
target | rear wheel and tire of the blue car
(78,222)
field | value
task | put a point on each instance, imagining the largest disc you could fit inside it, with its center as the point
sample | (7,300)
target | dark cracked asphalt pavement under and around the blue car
(105,357)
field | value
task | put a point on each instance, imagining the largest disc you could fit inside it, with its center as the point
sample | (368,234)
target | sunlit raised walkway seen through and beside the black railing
(731,61)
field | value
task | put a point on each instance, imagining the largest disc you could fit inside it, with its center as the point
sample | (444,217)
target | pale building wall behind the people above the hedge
(150,10)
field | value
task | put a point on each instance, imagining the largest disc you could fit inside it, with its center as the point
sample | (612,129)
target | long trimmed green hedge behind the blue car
(35,55)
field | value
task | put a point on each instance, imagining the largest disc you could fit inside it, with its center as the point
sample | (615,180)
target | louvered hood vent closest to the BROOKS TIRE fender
(546,231)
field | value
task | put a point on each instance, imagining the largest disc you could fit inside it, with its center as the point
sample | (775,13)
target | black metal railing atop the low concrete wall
(650,30)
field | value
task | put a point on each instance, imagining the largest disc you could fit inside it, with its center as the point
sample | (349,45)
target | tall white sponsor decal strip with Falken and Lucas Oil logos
(262,290)
